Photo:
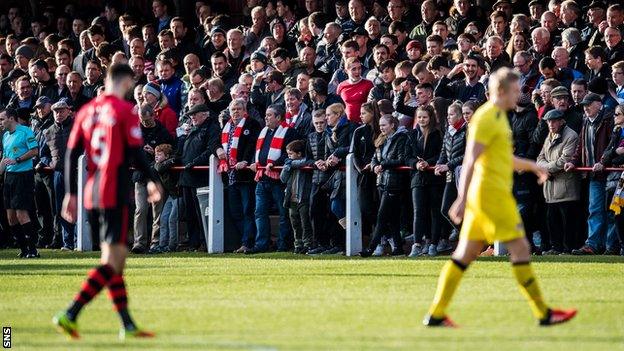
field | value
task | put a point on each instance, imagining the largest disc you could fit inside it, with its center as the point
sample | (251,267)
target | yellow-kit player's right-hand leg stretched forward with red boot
(519,255)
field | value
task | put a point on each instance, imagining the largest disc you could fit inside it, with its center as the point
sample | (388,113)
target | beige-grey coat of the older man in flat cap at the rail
(557,151)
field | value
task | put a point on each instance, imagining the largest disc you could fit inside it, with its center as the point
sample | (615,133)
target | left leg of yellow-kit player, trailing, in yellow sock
(466,252)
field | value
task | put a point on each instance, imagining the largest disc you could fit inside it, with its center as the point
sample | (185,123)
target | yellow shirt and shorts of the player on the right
(491,210)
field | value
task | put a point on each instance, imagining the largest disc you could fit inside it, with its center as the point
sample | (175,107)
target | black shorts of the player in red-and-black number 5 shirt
(110,224)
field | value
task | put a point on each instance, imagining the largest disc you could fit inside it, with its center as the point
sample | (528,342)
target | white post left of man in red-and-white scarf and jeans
(214,236)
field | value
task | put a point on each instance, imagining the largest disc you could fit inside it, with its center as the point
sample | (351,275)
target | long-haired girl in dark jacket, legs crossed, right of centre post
(390,153)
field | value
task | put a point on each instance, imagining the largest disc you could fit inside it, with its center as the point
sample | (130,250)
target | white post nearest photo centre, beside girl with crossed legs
(354,216)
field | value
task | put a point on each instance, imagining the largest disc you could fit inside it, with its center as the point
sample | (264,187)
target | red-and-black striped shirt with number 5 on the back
(106,127)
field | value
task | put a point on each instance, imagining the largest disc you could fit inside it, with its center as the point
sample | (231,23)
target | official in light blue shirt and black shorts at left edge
(19,146)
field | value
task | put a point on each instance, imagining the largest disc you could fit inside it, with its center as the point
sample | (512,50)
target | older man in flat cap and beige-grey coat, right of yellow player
(562,189)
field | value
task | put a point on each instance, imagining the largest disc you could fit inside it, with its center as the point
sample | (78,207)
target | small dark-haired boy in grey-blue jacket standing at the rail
(297,198)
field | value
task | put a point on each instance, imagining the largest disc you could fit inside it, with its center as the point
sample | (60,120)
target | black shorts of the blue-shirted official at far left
(19,190)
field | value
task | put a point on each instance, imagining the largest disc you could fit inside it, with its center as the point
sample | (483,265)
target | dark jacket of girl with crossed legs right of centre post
(392,154)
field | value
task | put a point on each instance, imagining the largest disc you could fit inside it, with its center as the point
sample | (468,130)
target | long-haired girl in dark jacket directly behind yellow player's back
(449,164)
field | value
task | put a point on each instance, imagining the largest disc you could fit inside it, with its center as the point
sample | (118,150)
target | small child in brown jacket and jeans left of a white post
(164,158)
